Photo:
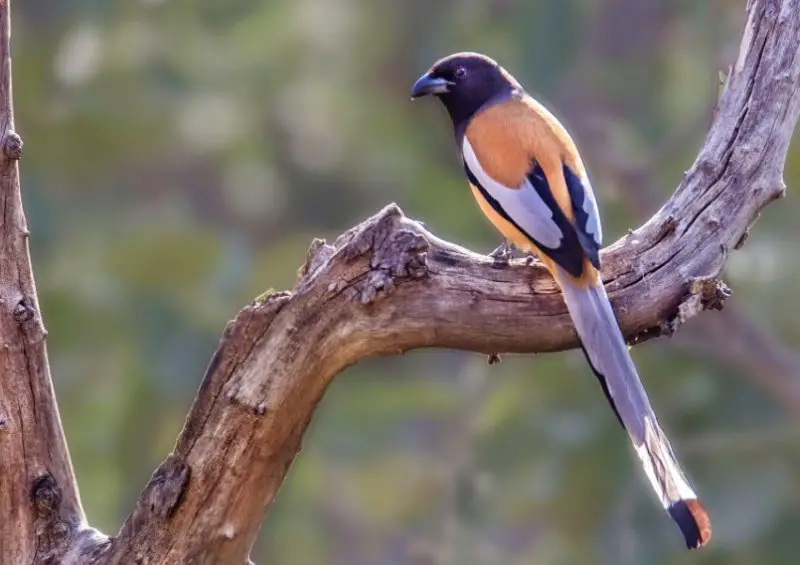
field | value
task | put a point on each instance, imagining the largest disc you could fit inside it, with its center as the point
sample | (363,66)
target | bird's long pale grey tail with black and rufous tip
(608,355)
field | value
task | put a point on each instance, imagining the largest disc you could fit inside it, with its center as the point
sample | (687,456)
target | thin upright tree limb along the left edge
(40,511)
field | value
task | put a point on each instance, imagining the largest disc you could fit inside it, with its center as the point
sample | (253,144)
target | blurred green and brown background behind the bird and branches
(180,156)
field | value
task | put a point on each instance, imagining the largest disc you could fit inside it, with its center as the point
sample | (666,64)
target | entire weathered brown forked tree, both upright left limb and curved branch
(384,287)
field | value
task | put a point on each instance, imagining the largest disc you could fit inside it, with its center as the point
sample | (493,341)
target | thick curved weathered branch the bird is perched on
(388,286)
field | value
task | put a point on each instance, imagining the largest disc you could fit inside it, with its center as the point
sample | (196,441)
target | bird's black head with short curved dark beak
(464,82)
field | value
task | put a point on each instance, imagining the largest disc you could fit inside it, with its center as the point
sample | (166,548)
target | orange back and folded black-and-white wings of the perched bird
(526,166)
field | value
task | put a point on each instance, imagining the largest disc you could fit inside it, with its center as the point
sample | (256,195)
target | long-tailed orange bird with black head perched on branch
(529,180)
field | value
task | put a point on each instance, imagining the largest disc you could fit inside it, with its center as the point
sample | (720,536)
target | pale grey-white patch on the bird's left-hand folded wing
(523,204)
